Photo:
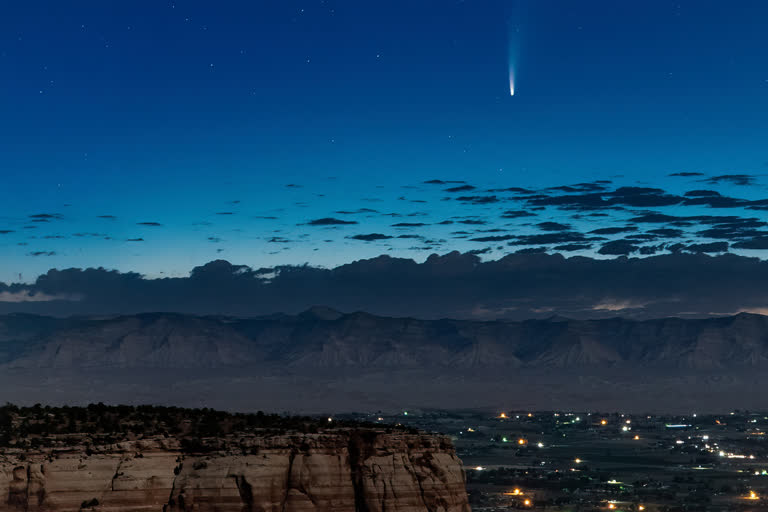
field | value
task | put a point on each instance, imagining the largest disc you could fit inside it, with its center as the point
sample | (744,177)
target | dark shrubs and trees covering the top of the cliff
(44,426)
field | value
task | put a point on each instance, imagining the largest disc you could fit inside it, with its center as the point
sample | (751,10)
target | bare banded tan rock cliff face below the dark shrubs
(348,471)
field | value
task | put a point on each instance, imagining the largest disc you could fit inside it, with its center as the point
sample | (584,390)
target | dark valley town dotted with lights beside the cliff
(599,461)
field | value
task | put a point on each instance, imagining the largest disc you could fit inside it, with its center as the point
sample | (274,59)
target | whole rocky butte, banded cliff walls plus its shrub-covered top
(45,466)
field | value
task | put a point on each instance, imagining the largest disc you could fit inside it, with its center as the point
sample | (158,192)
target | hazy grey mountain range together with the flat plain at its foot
(323,360)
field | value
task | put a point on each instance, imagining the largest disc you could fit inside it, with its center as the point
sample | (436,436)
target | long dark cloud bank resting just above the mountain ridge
(523,285)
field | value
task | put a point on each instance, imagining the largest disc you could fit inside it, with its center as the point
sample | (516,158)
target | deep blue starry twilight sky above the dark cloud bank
(165,112)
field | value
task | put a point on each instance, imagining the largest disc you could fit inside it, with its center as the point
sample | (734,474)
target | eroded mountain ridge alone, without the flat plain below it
(322,337)
